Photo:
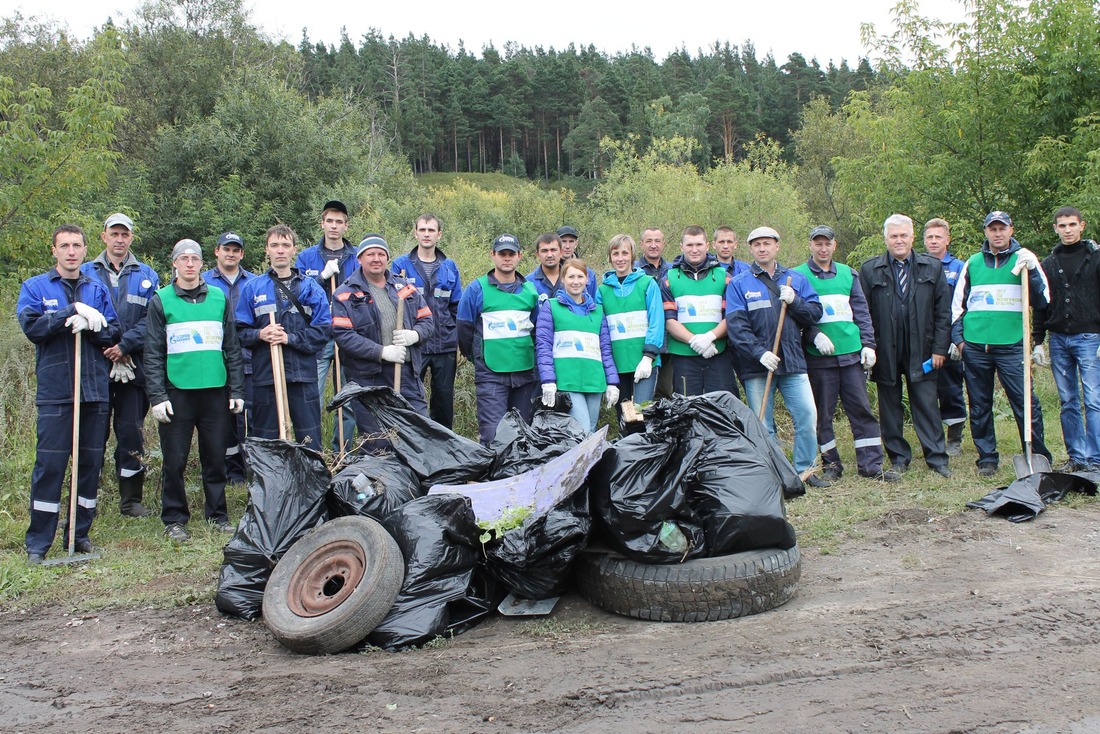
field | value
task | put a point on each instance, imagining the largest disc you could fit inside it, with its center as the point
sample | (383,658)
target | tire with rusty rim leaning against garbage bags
(334,586)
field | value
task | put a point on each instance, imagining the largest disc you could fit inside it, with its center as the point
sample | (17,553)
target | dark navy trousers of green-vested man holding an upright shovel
(982,364)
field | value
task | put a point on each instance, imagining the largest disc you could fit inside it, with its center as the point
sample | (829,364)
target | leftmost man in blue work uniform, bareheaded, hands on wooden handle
(52,309)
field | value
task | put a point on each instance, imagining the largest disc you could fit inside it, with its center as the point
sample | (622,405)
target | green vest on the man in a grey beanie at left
(194,334)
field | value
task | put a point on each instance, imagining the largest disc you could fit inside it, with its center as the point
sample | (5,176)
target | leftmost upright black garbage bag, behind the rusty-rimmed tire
(287,499)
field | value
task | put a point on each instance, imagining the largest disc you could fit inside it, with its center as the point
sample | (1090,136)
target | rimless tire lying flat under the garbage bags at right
(699,590)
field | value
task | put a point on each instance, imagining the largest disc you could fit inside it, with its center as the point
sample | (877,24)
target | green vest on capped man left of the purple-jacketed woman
(508,341)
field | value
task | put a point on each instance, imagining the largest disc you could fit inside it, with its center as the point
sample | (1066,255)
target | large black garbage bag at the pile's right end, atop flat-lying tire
(735,488)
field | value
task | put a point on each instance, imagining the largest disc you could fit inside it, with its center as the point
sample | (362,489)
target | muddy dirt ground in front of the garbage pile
(926,625)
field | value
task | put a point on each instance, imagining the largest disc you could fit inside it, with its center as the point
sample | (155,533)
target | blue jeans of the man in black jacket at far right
(1073,357)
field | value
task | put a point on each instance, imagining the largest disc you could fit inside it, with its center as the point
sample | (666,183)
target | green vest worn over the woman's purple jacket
(578,364)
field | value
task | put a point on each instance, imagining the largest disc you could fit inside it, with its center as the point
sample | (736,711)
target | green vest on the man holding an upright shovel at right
(995,308)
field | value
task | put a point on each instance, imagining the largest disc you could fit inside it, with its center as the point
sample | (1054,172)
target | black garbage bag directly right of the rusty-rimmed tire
(446,591)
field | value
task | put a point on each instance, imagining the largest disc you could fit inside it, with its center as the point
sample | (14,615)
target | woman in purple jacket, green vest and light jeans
(575,349)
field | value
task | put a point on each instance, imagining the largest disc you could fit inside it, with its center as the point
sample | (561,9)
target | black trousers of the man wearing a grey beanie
(203,411)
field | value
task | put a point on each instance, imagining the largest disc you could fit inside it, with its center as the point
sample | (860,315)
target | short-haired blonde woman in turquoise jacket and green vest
(635,315)
